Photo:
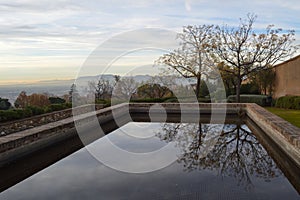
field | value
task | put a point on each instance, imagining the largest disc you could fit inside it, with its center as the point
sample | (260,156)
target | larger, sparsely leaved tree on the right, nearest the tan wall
(246,52)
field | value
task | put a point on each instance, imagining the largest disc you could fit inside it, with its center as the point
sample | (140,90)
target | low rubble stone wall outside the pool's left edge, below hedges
(28,123)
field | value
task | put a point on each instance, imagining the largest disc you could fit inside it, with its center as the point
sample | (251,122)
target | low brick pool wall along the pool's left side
(19,144)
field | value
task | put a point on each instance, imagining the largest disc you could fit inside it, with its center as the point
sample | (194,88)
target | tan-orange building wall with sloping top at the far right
(287,81)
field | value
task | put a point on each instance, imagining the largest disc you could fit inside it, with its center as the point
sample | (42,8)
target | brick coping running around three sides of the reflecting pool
(281,132)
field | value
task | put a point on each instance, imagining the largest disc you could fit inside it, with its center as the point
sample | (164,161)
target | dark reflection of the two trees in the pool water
(231,150)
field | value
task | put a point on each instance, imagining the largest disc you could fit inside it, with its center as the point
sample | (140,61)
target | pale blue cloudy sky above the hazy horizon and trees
(52,40)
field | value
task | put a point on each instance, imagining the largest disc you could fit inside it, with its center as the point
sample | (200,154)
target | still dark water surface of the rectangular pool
(212,162)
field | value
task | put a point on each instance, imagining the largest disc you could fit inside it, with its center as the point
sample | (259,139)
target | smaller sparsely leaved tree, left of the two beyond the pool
(191,60)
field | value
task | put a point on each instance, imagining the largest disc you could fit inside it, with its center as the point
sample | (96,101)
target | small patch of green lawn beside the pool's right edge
(292,116)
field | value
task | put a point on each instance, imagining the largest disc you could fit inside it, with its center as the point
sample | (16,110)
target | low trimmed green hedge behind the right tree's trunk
(262,100)
